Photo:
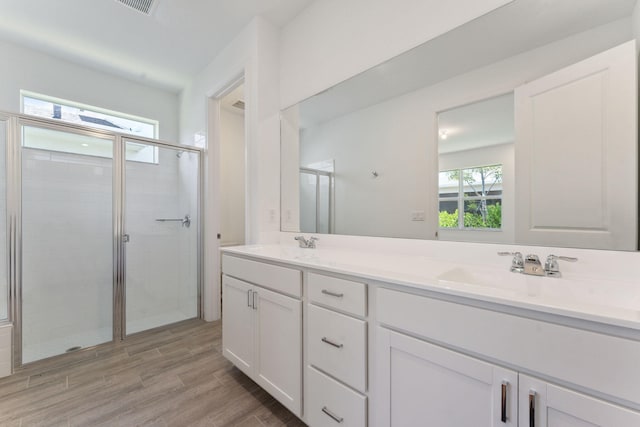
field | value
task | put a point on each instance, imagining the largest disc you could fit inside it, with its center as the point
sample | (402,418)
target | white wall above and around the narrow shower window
(34,71)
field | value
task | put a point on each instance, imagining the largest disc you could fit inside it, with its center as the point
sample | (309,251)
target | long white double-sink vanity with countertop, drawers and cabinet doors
(372,339)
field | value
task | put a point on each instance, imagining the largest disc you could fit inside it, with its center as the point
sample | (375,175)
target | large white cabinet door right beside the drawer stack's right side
(427,385)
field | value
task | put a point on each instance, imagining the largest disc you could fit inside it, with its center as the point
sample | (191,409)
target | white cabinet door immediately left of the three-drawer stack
(279,347)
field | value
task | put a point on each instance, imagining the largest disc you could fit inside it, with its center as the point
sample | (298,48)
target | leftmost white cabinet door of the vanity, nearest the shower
(238,323)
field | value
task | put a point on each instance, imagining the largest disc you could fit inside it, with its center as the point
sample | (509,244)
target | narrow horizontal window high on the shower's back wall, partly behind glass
(67,111)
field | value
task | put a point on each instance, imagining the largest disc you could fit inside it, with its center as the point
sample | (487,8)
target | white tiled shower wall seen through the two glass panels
(68,243)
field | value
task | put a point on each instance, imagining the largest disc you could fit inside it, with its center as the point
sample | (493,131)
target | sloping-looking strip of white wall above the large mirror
(332,40)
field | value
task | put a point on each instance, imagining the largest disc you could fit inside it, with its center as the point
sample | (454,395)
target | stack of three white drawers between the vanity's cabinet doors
(336,343)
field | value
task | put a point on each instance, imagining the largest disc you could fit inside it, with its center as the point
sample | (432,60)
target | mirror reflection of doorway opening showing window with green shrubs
(475,180)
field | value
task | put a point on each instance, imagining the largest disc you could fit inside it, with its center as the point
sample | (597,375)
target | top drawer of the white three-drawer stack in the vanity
(343,295)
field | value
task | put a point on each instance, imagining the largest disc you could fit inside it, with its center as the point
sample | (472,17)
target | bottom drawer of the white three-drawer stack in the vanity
(326,399)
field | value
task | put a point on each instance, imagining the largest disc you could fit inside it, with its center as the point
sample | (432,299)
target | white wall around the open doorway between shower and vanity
(254,54)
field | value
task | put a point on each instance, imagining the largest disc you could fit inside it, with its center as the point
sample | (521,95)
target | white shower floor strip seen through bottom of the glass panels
(32,352)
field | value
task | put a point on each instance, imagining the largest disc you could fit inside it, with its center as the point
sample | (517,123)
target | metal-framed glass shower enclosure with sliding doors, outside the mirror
(104,235)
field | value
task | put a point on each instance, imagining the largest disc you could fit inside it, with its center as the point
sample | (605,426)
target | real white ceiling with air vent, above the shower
(165,49)
